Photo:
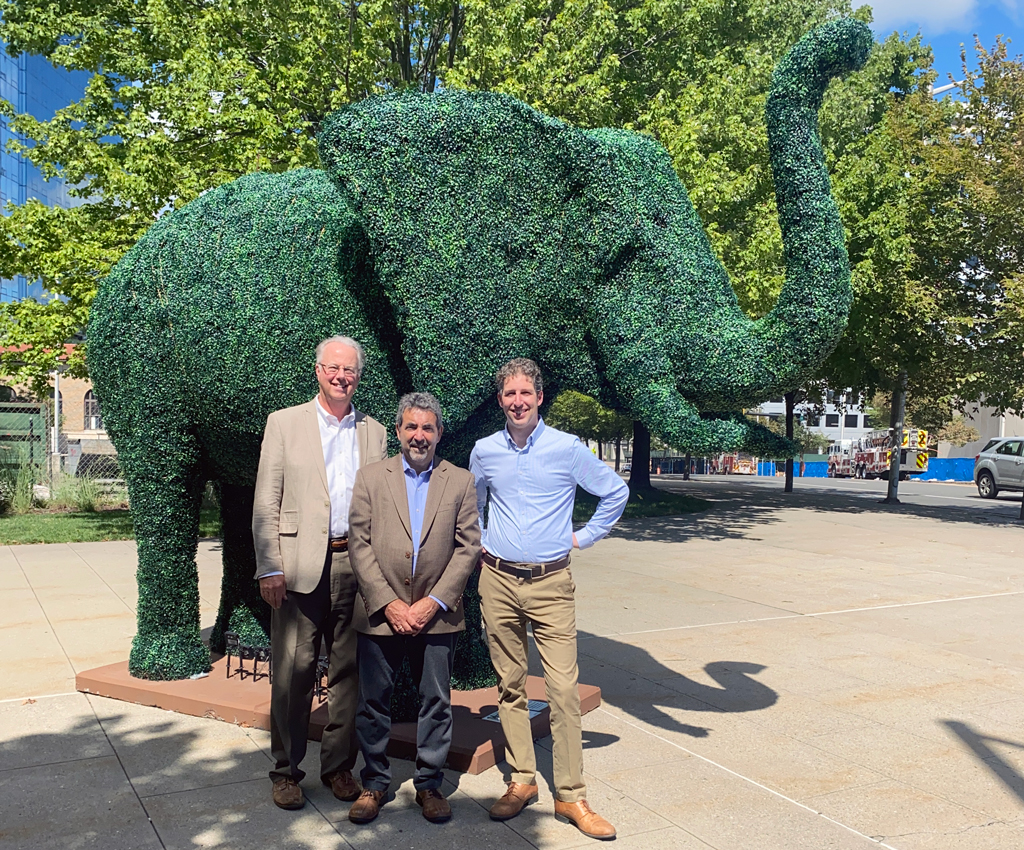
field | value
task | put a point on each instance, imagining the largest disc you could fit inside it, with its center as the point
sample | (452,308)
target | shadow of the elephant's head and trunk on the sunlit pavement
(631,679)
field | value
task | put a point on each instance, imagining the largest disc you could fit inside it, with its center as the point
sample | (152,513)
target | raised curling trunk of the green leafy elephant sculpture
(814,308)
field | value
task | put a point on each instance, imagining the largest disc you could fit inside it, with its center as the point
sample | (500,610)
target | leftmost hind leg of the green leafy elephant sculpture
(165,488)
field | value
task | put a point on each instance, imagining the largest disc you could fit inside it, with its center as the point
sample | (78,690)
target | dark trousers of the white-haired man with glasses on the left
(296,630)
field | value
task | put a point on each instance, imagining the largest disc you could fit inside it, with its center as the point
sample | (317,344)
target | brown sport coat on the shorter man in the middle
(380,544)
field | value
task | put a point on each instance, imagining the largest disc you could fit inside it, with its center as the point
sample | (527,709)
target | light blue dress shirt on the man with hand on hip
(533,491)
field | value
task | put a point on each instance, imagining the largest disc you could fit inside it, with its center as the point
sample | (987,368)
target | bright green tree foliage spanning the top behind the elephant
(184,98)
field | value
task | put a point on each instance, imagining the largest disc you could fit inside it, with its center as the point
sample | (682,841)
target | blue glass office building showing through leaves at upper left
(32,86)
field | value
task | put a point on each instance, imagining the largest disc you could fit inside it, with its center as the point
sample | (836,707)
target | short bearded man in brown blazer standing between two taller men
(415,542)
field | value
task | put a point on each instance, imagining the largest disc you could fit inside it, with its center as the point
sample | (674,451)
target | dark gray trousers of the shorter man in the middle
(431,658)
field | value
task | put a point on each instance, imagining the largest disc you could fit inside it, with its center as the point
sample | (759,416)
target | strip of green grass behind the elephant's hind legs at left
(51,527)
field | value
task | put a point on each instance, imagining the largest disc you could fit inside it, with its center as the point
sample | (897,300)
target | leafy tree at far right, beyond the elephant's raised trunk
(934,215)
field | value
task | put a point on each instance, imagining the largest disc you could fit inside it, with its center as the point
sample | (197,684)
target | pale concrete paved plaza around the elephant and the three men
(812,671)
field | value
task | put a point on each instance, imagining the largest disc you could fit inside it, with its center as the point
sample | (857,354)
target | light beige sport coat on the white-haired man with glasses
(292,509)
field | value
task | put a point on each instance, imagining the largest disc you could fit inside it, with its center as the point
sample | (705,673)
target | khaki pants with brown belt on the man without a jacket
(548,606)
